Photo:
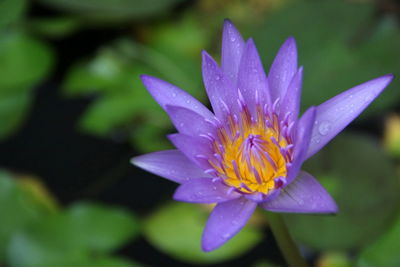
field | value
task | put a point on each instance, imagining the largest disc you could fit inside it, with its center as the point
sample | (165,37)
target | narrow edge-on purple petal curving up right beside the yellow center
(302,142)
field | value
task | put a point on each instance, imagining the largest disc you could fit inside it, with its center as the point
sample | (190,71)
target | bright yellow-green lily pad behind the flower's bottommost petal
(176,230)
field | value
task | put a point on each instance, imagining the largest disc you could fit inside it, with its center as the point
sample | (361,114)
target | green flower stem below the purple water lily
(285,242)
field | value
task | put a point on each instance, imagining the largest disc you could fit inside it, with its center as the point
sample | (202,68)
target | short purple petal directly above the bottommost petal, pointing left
(205,190)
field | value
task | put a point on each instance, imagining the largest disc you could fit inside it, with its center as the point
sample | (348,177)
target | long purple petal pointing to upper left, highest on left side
(167,94)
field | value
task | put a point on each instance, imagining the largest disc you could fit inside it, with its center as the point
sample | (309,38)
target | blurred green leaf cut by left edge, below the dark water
(18,208)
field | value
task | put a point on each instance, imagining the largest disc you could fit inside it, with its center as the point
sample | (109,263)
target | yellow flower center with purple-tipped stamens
(252,153)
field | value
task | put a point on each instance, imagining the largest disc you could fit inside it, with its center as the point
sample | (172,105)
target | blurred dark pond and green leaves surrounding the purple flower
(73,112)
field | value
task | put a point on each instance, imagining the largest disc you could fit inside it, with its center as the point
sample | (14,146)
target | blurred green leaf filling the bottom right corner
(384,252)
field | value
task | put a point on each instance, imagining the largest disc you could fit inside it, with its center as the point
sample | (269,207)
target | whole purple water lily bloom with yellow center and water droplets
(250,150)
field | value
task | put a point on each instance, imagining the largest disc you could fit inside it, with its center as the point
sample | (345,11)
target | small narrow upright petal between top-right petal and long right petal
(291,100)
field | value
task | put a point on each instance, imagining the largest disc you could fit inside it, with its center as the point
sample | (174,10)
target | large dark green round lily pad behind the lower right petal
(365,187)
